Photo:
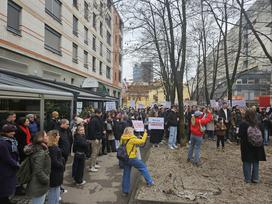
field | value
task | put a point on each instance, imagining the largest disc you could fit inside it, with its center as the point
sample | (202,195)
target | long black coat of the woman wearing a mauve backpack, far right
(248,152)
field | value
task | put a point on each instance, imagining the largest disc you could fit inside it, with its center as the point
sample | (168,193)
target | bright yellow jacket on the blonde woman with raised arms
(133,141)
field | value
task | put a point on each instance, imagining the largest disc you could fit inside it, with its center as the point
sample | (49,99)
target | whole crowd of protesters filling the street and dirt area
(47,152)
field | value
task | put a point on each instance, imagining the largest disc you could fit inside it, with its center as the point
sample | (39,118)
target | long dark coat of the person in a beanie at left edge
(8,167)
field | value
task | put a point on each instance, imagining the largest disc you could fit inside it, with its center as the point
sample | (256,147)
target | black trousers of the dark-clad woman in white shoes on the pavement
(78,167)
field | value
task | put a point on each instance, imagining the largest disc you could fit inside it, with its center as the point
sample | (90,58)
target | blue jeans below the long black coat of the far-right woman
(251,171)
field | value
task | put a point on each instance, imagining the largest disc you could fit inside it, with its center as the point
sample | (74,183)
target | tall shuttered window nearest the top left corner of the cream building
(14,13)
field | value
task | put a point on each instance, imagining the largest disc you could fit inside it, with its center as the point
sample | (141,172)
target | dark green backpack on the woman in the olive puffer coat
(24,173)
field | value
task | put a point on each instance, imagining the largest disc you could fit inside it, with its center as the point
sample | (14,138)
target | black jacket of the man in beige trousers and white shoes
(95,129)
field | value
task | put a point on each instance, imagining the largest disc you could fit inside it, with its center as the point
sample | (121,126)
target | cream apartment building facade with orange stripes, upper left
(69,41)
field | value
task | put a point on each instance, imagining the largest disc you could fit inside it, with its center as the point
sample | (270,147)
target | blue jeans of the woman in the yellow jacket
(138,164)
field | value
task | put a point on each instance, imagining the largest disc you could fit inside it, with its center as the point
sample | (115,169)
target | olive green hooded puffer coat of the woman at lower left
(41,167)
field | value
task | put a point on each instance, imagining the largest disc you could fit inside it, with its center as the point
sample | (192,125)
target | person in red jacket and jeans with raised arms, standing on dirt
(197,133)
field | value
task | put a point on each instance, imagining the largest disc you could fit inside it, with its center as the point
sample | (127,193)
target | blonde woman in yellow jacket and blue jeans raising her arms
(131,142)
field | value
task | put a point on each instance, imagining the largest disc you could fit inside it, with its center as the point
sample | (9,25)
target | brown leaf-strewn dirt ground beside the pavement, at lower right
(218,180)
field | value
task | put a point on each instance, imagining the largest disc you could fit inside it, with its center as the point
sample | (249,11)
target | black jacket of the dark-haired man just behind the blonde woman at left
(65,142)
